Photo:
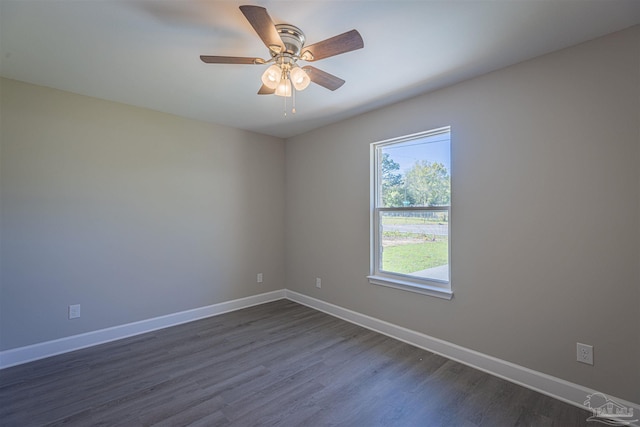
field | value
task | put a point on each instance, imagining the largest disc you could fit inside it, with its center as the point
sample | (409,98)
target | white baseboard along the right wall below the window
(557,388)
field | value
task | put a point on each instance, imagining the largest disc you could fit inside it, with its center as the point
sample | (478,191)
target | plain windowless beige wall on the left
(131,213)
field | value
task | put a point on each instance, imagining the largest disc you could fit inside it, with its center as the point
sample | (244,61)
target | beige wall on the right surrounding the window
(545,213)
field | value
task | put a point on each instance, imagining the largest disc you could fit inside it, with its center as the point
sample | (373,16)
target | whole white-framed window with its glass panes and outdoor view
(411,213)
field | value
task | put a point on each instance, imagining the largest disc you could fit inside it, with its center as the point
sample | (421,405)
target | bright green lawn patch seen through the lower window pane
(414,257)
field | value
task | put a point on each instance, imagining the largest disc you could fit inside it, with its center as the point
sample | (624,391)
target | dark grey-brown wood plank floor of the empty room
(275,364)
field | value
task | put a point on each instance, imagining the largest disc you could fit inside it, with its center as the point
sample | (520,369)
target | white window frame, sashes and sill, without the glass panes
(377,276)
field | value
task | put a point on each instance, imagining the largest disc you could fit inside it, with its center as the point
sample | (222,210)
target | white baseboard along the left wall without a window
(20,355)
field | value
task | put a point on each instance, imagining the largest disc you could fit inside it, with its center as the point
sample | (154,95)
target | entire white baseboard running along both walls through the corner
(557,388)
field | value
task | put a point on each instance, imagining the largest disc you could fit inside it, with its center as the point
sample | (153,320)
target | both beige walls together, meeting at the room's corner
(135,214)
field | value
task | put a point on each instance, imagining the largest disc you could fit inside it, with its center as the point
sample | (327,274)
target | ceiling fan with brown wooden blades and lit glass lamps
(286,44)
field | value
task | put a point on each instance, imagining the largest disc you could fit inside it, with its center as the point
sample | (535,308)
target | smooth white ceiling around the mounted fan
(146,52)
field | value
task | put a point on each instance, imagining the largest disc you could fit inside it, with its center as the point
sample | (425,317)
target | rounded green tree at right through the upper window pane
(428,184)
